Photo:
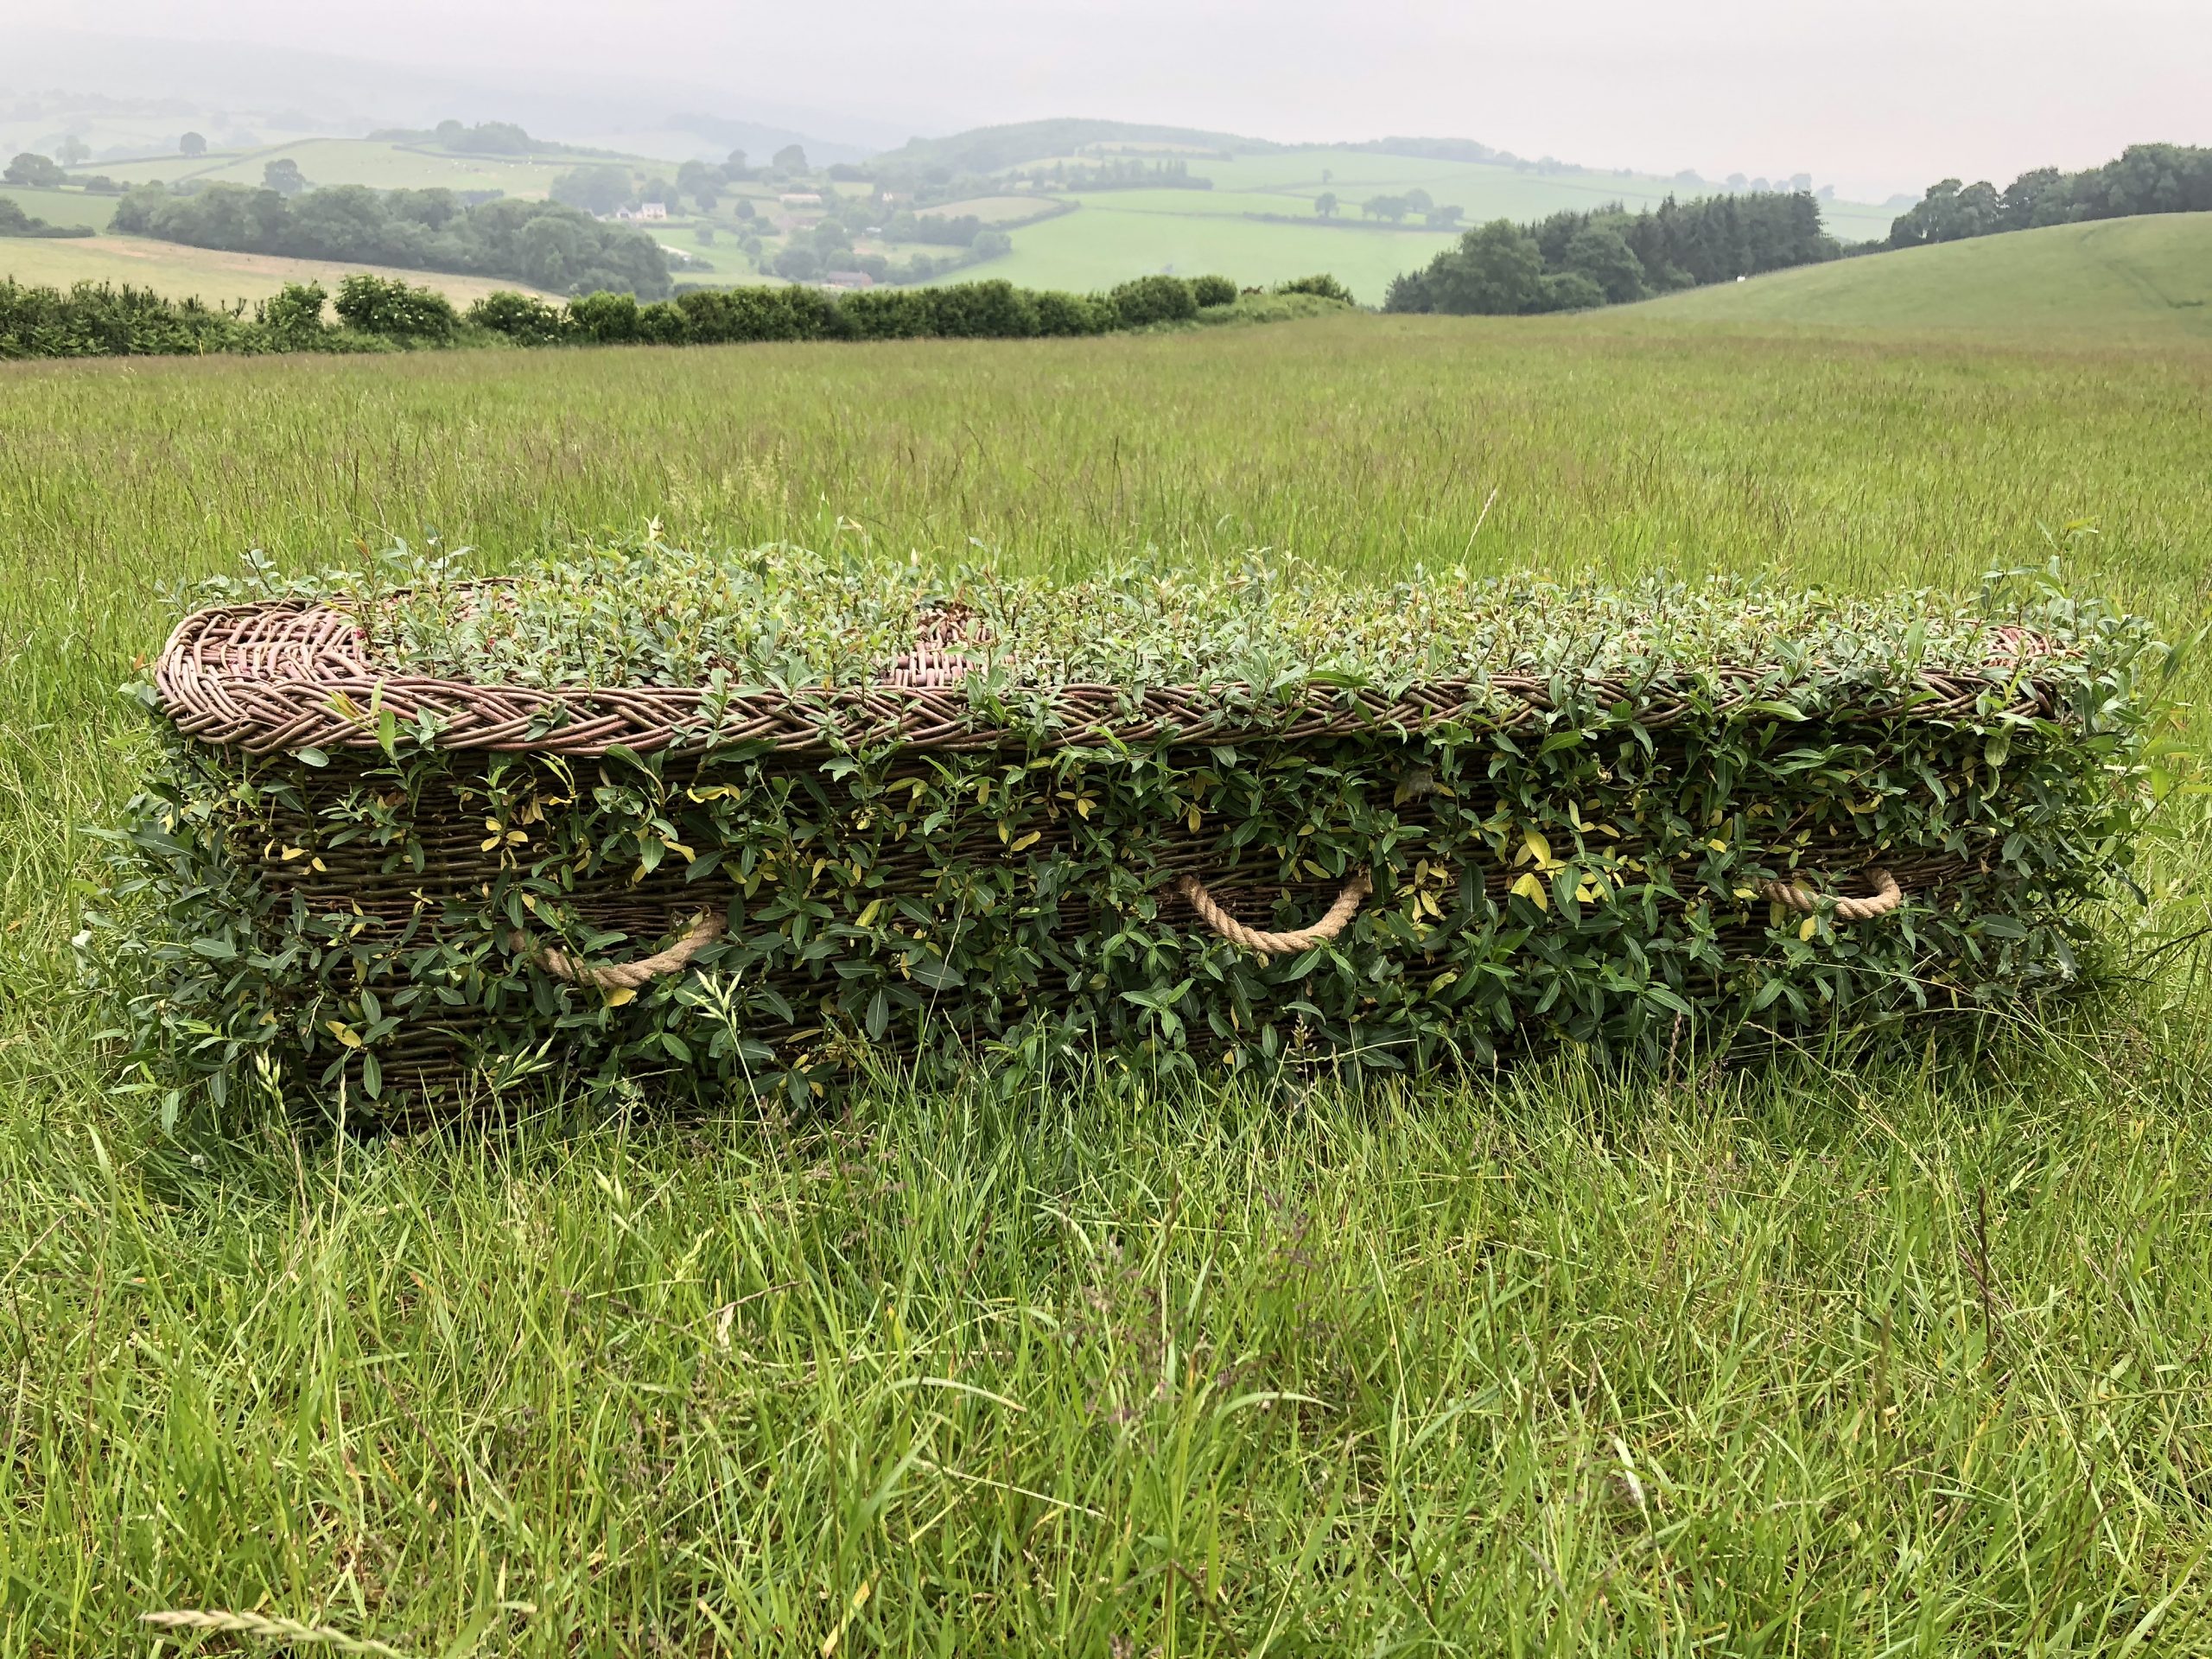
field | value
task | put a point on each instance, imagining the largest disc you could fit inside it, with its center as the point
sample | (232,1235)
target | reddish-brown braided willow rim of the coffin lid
(295,674)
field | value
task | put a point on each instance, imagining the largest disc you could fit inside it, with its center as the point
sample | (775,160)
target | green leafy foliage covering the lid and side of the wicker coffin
(1585,873)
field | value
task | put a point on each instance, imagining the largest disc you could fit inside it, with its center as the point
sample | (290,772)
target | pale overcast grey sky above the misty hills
(1875,96)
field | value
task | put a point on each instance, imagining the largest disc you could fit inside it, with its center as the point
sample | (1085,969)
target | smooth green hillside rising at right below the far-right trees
(2118,278)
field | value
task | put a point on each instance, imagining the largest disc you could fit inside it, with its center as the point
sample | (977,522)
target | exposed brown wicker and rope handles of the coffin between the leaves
(293,691)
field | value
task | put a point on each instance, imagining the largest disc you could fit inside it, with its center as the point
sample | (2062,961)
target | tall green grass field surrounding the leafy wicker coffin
(1872,1350)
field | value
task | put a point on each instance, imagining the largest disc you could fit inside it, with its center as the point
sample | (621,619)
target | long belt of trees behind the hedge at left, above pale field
(543,244)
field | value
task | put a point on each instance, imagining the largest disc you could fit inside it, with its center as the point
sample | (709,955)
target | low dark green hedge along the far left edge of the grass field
(388,315)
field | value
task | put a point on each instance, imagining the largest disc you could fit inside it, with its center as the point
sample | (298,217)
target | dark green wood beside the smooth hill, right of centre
(1611,258)
